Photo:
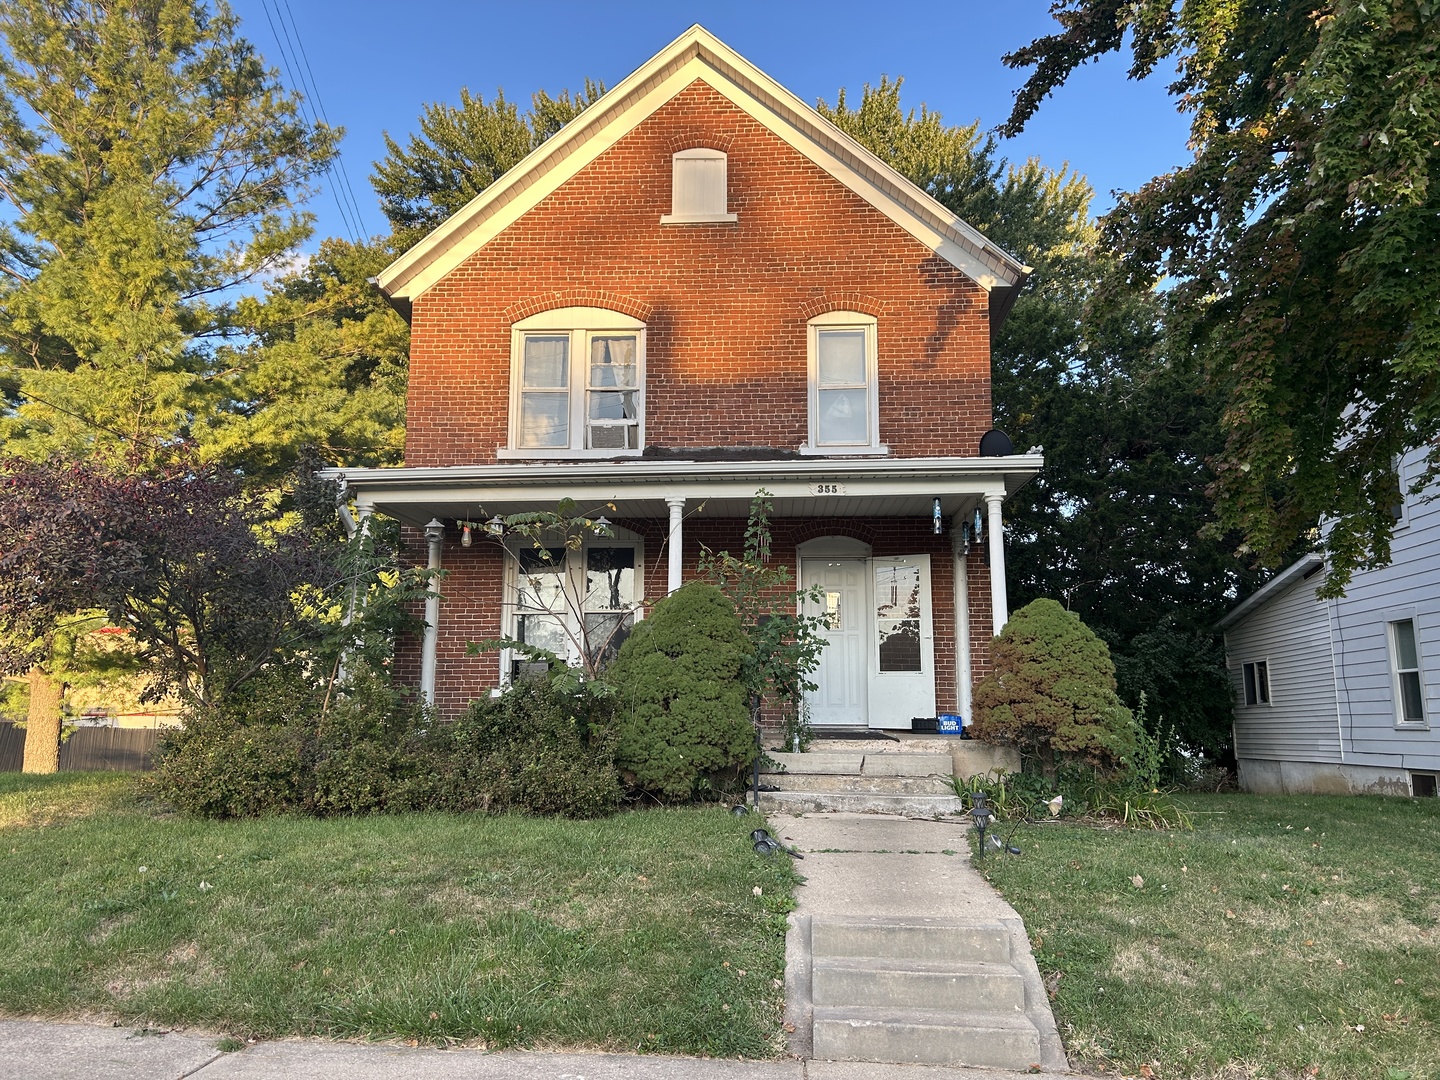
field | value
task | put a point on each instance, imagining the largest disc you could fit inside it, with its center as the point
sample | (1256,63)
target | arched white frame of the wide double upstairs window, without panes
(580,325)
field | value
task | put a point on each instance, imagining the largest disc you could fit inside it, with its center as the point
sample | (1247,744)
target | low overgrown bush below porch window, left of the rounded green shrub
(538,750)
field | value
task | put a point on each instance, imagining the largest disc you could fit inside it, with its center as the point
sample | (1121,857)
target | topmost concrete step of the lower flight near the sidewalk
(911,940)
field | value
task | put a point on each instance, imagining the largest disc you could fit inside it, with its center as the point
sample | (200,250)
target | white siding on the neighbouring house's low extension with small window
(1291,633)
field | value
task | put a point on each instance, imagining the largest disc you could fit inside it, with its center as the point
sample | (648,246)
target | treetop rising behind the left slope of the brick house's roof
(462,152)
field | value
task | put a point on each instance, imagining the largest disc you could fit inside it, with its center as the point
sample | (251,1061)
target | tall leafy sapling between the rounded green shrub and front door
(784,646)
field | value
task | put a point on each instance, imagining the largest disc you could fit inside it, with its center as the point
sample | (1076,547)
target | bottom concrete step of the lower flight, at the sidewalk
(938,1038)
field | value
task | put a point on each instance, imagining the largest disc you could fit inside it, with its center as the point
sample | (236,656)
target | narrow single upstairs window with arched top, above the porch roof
(845,408)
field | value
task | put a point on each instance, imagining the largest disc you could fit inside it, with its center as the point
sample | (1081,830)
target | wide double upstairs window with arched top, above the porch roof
(577,385)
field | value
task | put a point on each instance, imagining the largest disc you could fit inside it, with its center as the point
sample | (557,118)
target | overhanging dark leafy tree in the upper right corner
(1304,243)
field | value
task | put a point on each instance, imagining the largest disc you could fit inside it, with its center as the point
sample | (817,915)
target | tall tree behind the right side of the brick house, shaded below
(1117,525)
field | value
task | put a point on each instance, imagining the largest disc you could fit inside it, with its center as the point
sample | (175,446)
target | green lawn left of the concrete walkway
(640,932)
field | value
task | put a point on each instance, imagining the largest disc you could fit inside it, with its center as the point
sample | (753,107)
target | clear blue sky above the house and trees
(378,66)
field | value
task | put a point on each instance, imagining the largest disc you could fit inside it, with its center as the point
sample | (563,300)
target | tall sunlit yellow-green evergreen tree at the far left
(152,168)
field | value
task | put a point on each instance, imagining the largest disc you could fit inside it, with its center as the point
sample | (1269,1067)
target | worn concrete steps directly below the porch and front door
(837,778)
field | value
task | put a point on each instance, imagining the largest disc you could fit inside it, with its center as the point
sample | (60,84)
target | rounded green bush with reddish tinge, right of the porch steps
(1052,692)
